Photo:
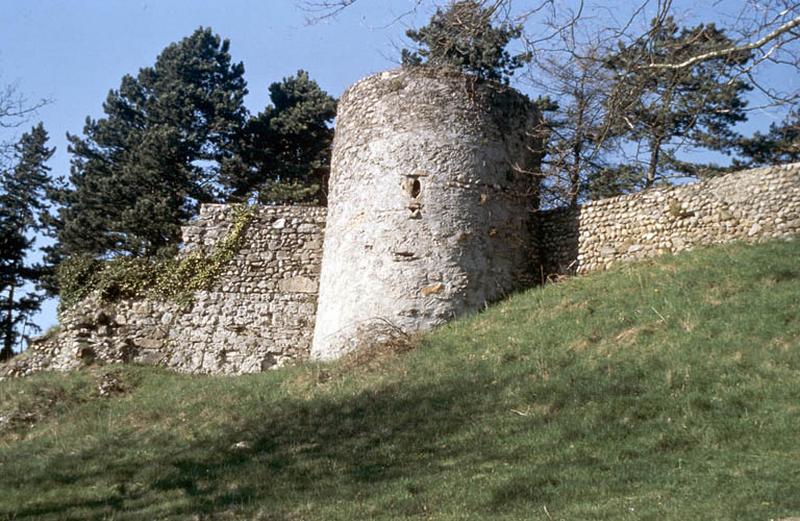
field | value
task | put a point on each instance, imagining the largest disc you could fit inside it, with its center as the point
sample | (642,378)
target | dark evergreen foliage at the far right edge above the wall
(781,144)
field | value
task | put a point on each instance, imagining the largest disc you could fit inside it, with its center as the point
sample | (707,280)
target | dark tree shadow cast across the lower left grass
(289,451)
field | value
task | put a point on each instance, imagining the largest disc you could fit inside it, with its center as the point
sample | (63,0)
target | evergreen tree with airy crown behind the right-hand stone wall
(663,110)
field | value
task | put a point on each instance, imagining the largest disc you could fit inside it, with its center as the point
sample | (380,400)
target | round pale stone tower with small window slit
(432,190)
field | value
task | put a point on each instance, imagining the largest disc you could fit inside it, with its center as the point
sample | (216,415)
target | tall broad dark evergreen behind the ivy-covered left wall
(143,168)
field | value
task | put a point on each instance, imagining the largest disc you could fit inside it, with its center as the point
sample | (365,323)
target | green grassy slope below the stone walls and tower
(666,390)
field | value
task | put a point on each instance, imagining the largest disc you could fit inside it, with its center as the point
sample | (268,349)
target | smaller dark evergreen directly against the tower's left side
(288,145)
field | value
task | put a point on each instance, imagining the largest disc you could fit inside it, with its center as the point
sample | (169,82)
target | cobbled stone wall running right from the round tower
(752,205)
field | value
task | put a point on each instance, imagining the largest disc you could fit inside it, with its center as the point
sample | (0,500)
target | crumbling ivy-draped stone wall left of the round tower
(258,315)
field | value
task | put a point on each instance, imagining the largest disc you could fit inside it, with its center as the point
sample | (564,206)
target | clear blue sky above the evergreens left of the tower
(73,52)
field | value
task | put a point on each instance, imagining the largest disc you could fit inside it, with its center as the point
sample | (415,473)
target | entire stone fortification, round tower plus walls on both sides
(431,215)
